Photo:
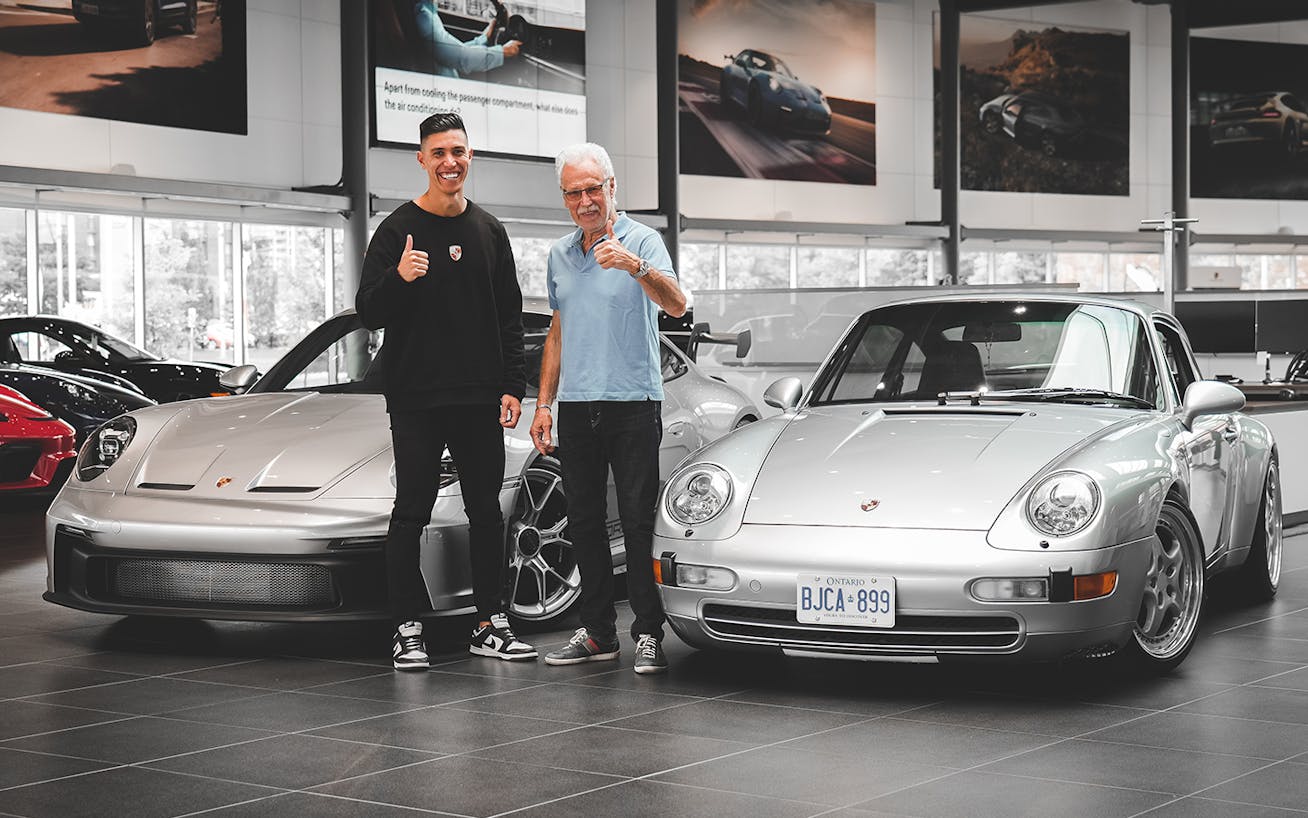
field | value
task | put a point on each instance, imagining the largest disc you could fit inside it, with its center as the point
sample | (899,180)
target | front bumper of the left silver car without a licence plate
(281,562)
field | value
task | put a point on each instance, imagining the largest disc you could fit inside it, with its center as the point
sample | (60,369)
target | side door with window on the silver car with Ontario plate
(1212,448)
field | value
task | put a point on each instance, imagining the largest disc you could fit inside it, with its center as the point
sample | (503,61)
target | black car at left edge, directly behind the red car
(83,404)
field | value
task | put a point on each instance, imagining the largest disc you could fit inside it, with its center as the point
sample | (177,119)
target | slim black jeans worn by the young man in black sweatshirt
(477,446)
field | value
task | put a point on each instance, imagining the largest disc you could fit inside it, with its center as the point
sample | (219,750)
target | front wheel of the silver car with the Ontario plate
(1169,618)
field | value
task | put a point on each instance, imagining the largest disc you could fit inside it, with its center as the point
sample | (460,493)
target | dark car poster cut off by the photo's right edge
(1248,120)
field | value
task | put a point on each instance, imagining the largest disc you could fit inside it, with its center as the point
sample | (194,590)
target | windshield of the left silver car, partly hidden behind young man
(343,357)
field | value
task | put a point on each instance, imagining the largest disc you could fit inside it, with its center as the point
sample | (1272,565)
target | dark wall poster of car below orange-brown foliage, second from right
(1043,109)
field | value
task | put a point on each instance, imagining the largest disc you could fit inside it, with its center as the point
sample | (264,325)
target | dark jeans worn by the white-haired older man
(623,435)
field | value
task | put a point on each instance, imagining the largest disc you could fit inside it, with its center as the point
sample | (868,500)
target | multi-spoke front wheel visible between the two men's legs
(543,580)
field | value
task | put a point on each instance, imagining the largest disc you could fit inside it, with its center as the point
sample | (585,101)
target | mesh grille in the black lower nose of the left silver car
(231,583)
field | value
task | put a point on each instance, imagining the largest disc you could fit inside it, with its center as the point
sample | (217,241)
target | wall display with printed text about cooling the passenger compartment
(516,71)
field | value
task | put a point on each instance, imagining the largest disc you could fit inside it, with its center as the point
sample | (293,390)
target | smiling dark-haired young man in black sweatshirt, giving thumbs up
(440,277)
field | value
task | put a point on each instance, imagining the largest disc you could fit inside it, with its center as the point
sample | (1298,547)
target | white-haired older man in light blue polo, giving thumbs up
(608,282)
